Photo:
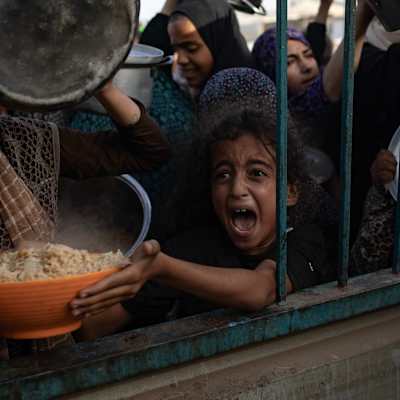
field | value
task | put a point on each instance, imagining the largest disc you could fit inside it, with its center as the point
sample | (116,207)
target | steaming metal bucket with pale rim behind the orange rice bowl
(103,214)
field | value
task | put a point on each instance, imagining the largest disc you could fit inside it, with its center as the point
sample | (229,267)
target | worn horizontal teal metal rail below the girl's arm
(129,354)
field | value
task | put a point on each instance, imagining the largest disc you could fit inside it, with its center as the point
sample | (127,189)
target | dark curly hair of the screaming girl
(190,204)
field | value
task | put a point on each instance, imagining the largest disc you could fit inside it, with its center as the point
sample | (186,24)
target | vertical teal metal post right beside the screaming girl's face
(282,107)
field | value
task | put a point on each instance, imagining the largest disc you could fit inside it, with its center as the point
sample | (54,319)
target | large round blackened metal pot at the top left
(56,53)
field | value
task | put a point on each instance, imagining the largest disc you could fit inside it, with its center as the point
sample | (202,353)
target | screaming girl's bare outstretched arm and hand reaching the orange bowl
(249,290)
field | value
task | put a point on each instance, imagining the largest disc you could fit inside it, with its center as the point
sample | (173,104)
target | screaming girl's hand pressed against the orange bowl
(120,286)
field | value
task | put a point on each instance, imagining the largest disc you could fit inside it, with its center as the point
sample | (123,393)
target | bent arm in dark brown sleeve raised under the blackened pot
(138,146)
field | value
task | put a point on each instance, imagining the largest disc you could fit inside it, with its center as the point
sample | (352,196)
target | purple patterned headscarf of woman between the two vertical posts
(264,50)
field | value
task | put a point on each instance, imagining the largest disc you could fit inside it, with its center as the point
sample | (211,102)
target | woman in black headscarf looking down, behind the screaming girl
(204,37)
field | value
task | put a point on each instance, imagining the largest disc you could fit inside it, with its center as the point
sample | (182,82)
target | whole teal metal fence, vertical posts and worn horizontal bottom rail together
(131,354)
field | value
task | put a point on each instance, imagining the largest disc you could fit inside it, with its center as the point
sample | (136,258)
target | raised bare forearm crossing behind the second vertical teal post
(333,73)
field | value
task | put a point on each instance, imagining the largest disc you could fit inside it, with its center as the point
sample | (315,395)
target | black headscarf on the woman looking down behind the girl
(216,22)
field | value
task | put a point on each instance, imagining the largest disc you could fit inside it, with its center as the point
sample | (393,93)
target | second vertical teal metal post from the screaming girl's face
(346,142)
